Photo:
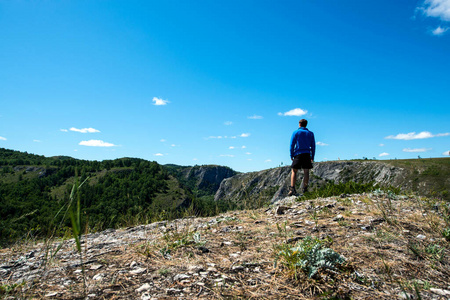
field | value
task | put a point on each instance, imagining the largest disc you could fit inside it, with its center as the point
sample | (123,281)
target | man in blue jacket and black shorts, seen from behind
(303,149)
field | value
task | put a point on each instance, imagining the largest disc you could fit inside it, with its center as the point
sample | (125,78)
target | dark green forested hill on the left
(35,194)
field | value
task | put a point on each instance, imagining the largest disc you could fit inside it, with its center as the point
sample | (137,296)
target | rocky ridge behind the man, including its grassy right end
(430,177)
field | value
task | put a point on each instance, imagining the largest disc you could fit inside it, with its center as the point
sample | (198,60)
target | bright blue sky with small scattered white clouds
(225,82)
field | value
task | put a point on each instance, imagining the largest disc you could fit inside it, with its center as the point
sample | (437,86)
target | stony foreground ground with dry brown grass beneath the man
(394,248)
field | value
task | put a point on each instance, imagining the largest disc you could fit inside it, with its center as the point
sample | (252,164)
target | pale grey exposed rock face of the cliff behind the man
(273,184)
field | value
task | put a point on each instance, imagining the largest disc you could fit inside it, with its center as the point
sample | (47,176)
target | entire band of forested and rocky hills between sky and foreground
(35,190)
